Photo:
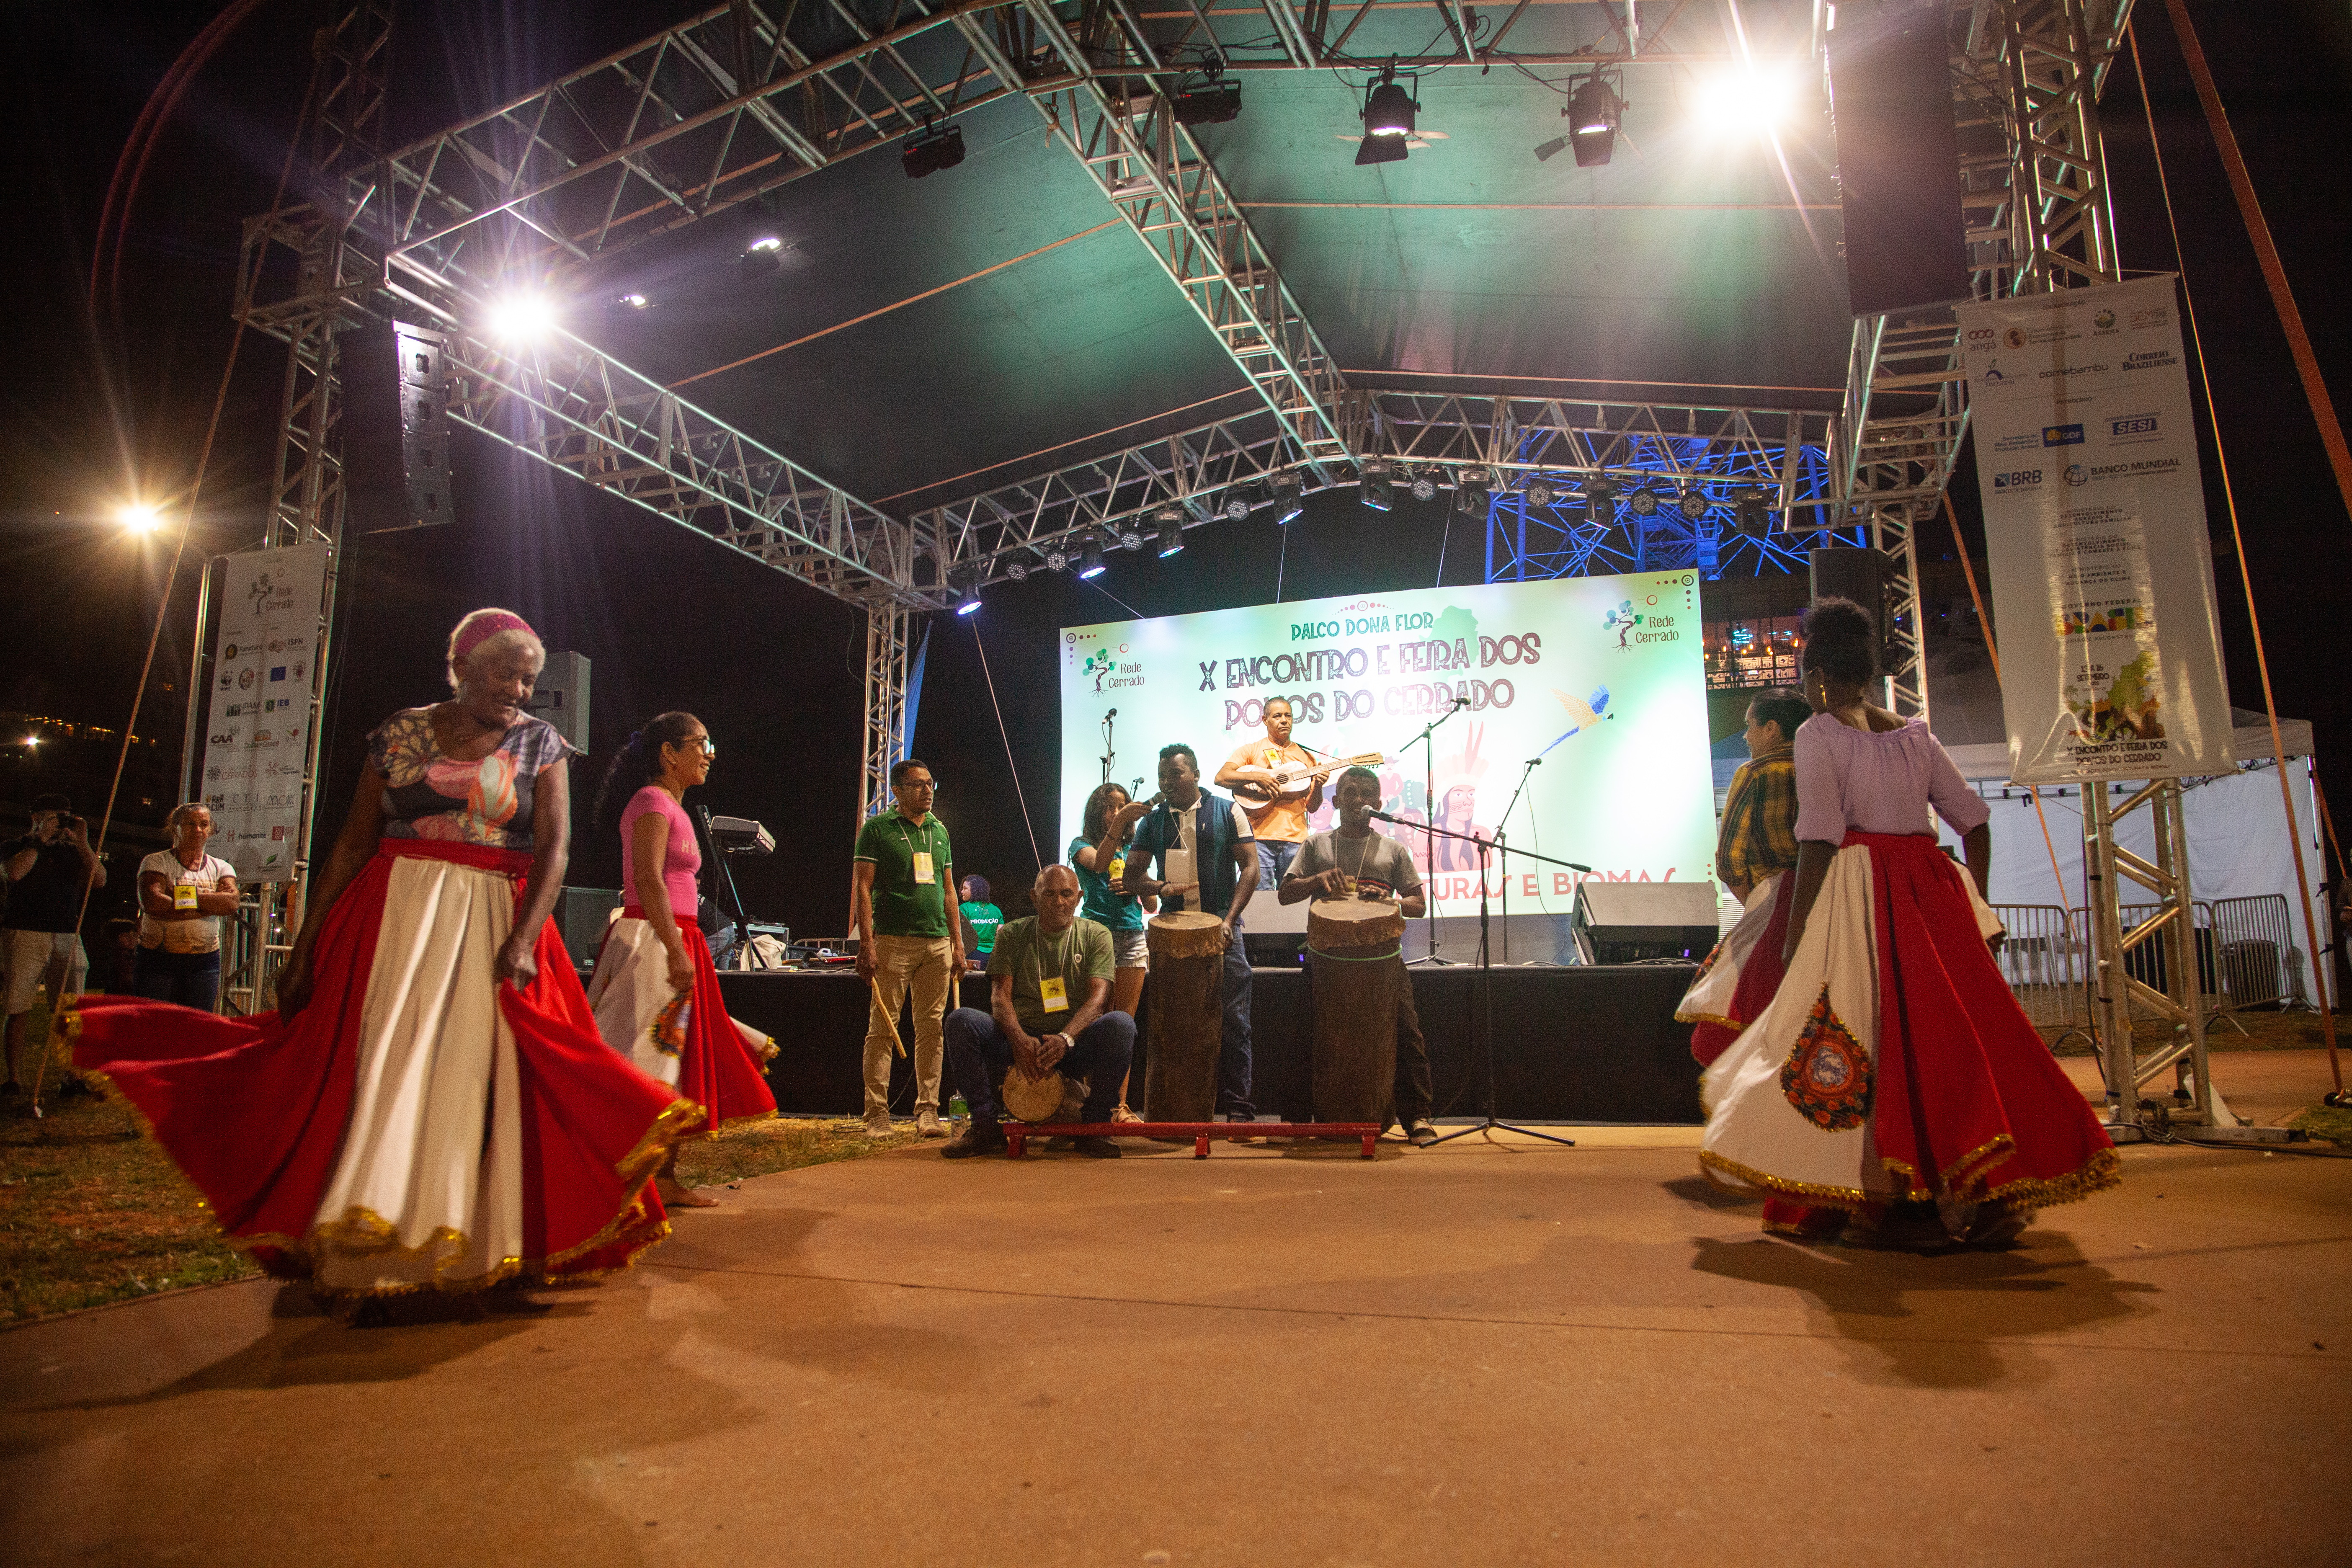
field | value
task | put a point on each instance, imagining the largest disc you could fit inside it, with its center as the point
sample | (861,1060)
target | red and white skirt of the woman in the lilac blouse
(1892,1061)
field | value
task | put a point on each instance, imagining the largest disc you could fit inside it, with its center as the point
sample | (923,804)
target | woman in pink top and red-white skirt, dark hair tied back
(657,996)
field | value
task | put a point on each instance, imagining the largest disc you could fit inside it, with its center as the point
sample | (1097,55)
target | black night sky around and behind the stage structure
(109,396)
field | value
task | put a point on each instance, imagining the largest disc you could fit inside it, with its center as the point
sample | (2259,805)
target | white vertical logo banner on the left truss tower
(260,737)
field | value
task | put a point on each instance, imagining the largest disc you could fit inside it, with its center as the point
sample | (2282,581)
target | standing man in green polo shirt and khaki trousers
(909,939)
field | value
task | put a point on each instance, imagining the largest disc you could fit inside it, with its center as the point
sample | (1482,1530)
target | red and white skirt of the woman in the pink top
(714,1059)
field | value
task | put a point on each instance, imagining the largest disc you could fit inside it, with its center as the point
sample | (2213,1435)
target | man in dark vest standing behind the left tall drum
(1208,862)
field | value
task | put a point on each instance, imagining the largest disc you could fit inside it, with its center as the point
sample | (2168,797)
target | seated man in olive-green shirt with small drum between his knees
(1048,984)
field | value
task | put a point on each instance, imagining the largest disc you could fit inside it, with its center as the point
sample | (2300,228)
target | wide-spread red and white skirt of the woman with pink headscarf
(417,1125)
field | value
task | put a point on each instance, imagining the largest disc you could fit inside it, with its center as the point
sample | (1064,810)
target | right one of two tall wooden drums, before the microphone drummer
(1356,965)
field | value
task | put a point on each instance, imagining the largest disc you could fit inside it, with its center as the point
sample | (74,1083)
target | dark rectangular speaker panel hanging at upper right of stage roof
(1897,156)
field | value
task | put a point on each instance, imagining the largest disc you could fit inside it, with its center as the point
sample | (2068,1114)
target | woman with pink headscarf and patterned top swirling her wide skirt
(432,1104)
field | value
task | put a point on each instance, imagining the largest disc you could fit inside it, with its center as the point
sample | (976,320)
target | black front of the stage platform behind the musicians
(1570,1045)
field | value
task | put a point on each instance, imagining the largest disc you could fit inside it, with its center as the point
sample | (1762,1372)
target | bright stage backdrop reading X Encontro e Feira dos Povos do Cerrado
(1601,678)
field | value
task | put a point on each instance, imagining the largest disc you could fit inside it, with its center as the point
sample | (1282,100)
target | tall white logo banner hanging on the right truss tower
(2097,535)
